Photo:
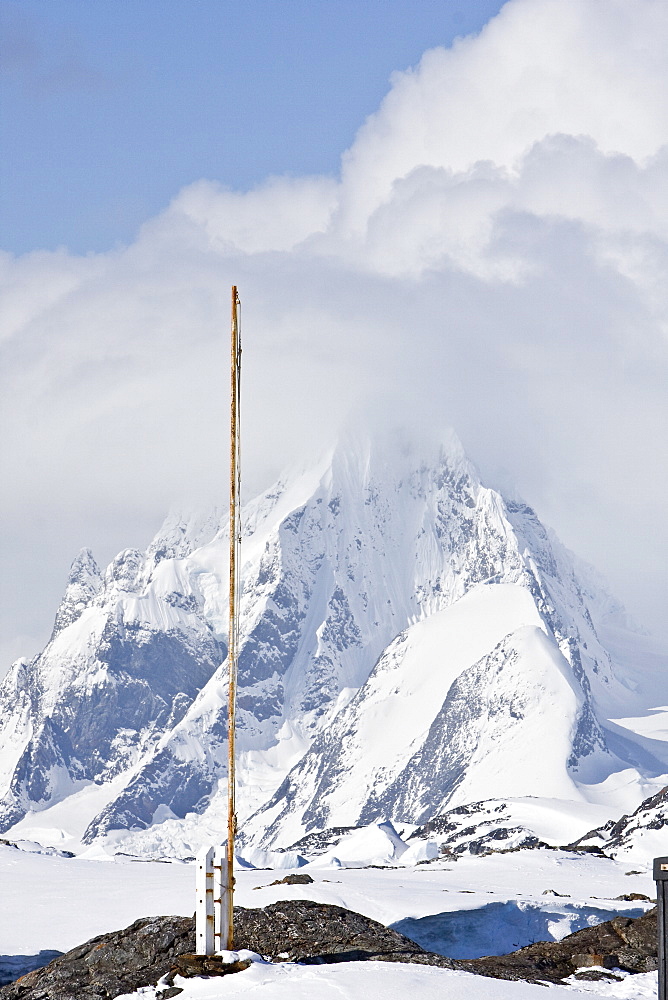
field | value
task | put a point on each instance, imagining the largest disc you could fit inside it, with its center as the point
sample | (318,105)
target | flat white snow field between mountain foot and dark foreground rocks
(58,903)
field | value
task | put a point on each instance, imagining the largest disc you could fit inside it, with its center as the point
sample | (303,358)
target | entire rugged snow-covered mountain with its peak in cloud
(410,642)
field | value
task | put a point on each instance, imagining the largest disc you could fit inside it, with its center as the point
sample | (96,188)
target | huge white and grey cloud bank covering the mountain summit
(493,256)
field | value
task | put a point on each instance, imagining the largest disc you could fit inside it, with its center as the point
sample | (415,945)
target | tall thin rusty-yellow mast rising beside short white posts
(235,538)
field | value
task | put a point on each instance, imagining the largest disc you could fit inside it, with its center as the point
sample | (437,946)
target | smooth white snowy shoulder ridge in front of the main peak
(454,708)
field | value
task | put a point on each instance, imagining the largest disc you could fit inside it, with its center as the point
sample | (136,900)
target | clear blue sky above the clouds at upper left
(109,107)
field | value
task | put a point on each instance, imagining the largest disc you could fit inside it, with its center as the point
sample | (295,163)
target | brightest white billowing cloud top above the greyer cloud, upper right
(579,67)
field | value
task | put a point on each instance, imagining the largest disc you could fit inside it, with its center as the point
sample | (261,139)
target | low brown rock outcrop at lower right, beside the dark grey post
(622,943)
